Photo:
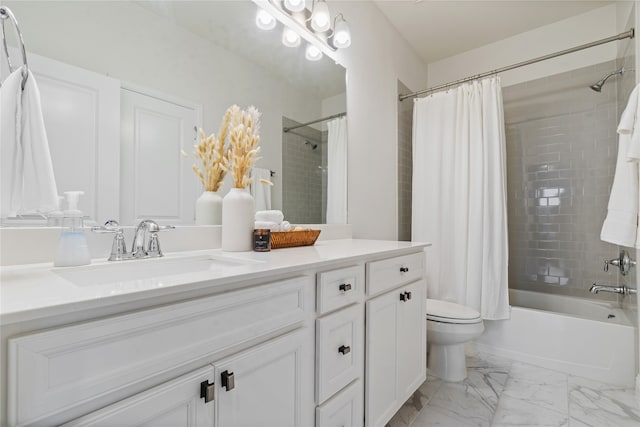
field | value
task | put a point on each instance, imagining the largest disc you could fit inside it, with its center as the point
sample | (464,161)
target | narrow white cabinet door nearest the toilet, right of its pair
(412,351)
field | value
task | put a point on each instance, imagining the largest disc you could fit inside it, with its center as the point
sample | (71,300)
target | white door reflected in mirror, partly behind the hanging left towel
(81,111)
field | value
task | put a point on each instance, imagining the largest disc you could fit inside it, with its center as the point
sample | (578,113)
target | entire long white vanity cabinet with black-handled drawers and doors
(327,342)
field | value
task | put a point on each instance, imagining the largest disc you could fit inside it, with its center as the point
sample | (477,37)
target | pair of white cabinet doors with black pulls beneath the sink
(262,386)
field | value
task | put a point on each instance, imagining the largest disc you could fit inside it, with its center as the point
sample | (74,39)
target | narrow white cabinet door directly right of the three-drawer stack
(381,358)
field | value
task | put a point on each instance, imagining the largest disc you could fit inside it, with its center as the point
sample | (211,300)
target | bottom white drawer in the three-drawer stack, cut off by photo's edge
(344,409)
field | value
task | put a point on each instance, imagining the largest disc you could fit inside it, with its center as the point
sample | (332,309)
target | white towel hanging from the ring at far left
(28,183)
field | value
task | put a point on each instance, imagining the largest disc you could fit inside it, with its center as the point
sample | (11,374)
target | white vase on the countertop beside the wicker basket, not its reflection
(237,220)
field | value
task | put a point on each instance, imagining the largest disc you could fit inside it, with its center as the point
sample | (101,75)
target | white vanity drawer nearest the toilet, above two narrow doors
(393,272)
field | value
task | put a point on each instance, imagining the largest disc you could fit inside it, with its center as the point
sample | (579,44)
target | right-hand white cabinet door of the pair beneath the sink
(270,385)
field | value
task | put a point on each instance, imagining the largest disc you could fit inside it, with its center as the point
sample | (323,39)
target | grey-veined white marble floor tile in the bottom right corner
(596,404)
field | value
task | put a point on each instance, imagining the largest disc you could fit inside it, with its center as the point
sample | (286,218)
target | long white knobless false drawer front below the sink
(76,369)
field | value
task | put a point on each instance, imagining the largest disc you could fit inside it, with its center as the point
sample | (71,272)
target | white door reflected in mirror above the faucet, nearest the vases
(156,180)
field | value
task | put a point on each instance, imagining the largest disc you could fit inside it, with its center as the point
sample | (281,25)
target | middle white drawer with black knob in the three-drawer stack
(339,350)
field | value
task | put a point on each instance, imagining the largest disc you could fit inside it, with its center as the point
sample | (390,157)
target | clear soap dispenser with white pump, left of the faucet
(72,246)
